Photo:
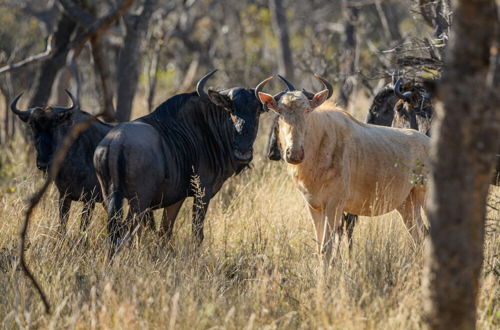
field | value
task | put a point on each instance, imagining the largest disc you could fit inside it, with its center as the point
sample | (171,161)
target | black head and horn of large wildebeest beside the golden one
(244,109)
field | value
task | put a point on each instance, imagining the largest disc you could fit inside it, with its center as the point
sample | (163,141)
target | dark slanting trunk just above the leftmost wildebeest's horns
(50,67)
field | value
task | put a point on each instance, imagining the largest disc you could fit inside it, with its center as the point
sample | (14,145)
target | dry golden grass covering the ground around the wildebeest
(257,267)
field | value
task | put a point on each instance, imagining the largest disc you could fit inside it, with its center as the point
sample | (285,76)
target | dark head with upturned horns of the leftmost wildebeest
(48,125)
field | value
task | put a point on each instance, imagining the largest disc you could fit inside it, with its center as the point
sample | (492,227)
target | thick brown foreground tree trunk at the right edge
(467,135)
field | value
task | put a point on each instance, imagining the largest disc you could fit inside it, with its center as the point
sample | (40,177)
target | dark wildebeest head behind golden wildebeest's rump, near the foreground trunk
(413,109)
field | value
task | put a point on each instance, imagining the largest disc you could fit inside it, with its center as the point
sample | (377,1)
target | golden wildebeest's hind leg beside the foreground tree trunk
(410,211)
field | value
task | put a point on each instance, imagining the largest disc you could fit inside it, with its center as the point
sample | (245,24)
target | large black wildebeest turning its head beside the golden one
(152,160)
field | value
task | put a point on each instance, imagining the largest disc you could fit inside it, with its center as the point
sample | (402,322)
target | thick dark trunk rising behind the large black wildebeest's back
(129,63)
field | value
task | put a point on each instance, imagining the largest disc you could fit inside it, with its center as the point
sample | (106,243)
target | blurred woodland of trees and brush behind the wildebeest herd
(125,57)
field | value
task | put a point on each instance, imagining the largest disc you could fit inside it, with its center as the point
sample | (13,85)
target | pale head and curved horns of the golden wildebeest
(293,107)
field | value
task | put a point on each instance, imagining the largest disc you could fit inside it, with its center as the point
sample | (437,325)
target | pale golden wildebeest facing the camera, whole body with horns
(343,165)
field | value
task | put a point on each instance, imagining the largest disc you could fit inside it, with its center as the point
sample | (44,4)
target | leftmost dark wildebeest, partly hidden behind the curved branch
(76,180)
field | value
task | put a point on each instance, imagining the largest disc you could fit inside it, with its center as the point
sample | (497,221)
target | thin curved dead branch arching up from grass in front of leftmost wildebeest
(36,197)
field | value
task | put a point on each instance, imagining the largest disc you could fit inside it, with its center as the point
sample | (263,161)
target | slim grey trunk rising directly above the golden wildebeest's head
(280,27)
